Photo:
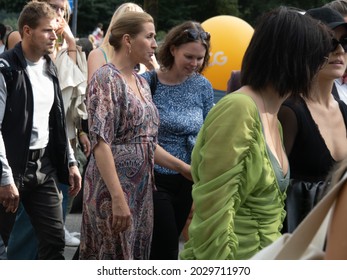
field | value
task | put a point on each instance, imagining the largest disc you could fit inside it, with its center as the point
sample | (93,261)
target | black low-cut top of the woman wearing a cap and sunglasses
(310,158)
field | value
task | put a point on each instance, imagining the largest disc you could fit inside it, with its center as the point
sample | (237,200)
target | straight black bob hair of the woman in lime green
(286,52)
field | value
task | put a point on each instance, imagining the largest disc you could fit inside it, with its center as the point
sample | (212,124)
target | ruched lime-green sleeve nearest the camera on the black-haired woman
(226,166)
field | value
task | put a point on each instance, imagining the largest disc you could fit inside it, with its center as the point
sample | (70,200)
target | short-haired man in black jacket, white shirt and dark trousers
(34,149)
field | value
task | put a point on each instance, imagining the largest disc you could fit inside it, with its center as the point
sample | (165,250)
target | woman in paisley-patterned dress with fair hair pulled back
(123,124)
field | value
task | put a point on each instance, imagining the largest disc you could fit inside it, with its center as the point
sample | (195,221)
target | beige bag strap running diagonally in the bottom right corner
(303,235)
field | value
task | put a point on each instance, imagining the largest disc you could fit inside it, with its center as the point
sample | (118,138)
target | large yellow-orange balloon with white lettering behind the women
(230,37)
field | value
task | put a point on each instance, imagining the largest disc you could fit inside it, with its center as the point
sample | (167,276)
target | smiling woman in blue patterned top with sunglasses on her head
(183,98)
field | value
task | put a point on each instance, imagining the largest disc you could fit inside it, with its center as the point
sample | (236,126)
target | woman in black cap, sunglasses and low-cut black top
(314,126)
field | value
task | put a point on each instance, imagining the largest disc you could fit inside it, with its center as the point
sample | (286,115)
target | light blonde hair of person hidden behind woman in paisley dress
(124,8)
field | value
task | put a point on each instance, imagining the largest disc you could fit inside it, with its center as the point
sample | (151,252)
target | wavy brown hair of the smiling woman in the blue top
(177,37)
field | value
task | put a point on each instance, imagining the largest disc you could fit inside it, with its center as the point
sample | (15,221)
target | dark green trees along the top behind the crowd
(166,13)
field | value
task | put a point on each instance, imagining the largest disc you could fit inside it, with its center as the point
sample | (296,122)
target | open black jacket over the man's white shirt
(18,118)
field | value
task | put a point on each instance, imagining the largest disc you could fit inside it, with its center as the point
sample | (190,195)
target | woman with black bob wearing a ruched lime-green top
(239,166)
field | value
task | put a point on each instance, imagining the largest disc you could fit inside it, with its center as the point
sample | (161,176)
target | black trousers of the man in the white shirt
(42,201)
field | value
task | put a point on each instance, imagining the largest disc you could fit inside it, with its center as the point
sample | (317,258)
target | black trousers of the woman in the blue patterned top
(172,204)
